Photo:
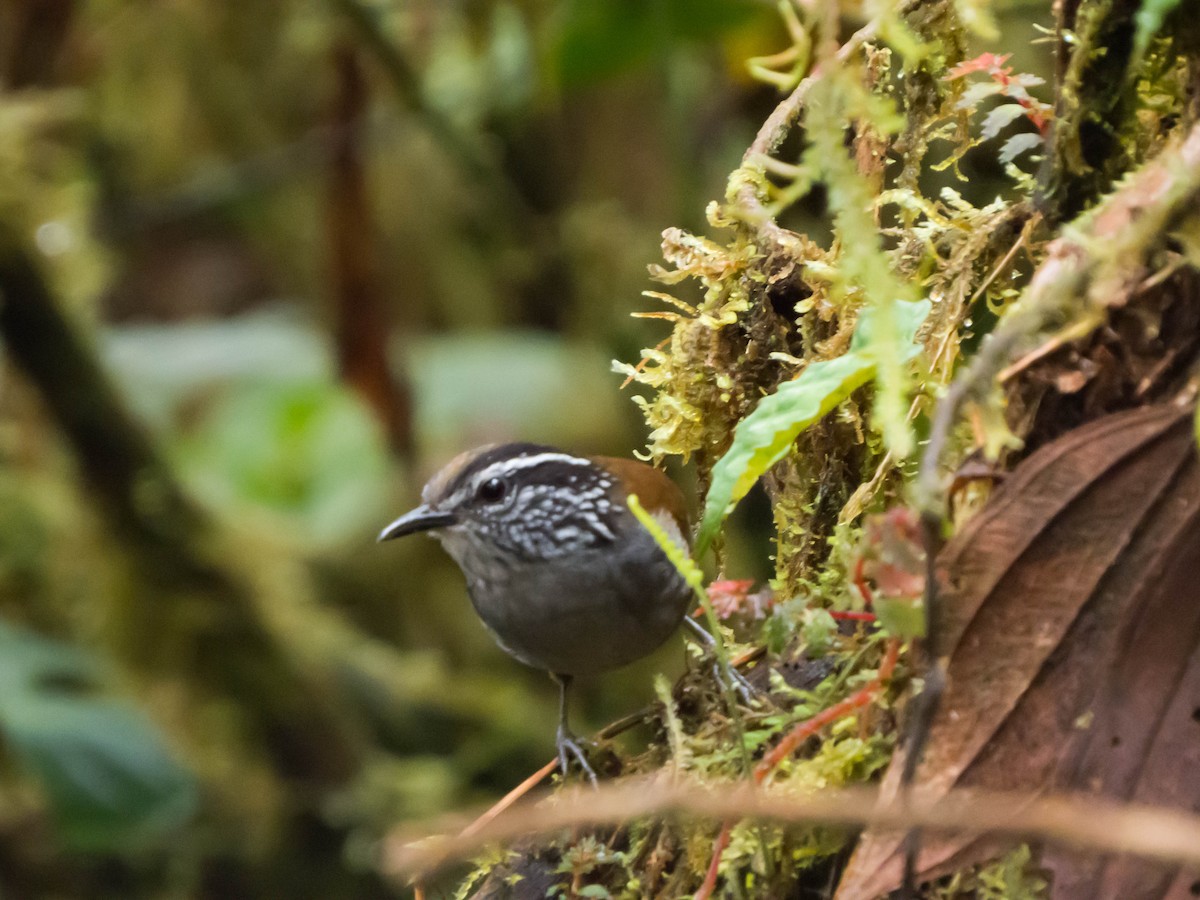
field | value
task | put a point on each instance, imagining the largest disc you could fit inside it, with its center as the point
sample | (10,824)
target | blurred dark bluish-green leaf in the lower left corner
(106,772)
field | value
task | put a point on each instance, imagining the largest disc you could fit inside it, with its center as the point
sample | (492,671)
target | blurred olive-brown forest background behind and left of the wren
(266,267)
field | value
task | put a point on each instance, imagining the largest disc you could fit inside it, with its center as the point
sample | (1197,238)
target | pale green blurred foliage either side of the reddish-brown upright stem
(254,415)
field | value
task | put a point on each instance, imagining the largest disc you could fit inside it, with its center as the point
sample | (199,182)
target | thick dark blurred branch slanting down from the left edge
(178,560)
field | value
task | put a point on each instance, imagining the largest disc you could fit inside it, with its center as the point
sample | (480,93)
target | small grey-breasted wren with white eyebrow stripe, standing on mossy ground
(557,567)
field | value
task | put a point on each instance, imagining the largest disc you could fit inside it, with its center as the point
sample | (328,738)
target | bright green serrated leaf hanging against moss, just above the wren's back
(765,437)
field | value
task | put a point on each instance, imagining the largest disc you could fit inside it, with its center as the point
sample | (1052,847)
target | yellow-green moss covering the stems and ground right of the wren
(886,131)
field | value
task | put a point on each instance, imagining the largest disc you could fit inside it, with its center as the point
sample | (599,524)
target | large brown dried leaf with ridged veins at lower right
(1075,647)
